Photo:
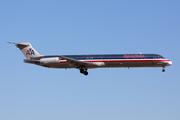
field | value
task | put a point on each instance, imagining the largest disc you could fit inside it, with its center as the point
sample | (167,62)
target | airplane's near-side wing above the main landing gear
(78,63)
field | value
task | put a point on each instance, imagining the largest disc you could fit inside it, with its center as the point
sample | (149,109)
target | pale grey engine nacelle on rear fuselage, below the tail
(49,60)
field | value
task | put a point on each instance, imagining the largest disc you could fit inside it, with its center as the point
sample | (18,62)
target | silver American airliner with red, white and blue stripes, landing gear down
(85,62)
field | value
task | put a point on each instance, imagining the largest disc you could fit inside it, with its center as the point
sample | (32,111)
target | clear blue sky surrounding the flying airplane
(58,27)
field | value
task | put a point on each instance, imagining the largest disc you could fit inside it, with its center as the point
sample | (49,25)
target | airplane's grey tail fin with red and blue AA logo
(28,51)
